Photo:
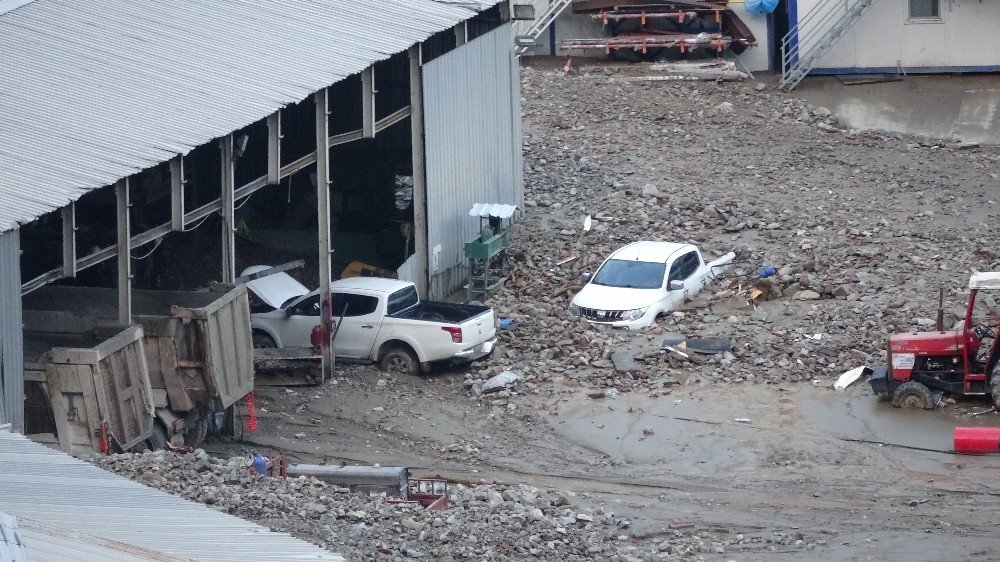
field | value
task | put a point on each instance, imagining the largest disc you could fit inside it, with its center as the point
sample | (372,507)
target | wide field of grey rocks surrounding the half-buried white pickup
(842,236)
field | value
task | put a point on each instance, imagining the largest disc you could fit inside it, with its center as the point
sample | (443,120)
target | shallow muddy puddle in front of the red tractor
(725,430)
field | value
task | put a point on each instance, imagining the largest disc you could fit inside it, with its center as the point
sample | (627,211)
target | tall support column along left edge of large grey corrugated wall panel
(419,169)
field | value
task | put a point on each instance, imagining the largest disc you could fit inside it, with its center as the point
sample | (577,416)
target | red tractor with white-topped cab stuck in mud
(924,365)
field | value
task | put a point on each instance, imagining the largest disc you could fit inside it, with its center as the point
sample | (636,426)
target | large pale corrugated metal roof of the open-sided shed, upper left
(95,91)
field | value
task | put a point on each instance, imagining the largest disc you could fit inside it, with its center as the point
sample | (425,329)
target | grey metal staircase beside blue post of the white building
(814,34)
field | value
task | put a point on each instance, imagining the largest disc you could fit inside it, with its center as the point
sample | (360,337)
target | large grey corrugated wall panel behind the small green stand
(473,147)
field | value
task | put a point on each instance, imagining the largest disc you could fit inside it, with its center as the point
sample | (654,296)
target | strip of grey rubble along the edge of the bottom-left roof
(482,522)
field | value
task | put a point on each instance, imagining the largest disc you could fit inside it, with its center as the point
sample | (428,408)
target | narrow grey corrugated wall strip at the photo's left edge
(11,347)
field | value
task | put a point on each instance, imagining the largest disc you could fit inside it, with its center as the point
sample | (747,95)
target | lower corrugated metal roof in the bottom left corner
(74,504)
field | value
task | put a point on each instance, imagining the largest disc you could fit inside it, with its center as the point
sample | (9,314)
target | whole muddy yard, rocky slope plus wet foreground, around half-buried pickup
(807,472)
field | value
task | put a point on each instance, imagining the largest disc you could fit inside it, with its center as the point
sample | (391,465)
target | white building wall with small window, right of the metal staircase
(964,38)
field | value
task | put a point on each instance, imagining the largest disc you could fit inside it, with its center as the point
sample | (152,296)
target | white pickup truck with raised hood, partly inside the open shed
(381,320)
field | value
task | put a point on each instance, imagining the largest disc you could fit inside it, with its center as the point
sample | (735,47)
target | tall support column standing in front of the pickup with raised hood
(323,210)
